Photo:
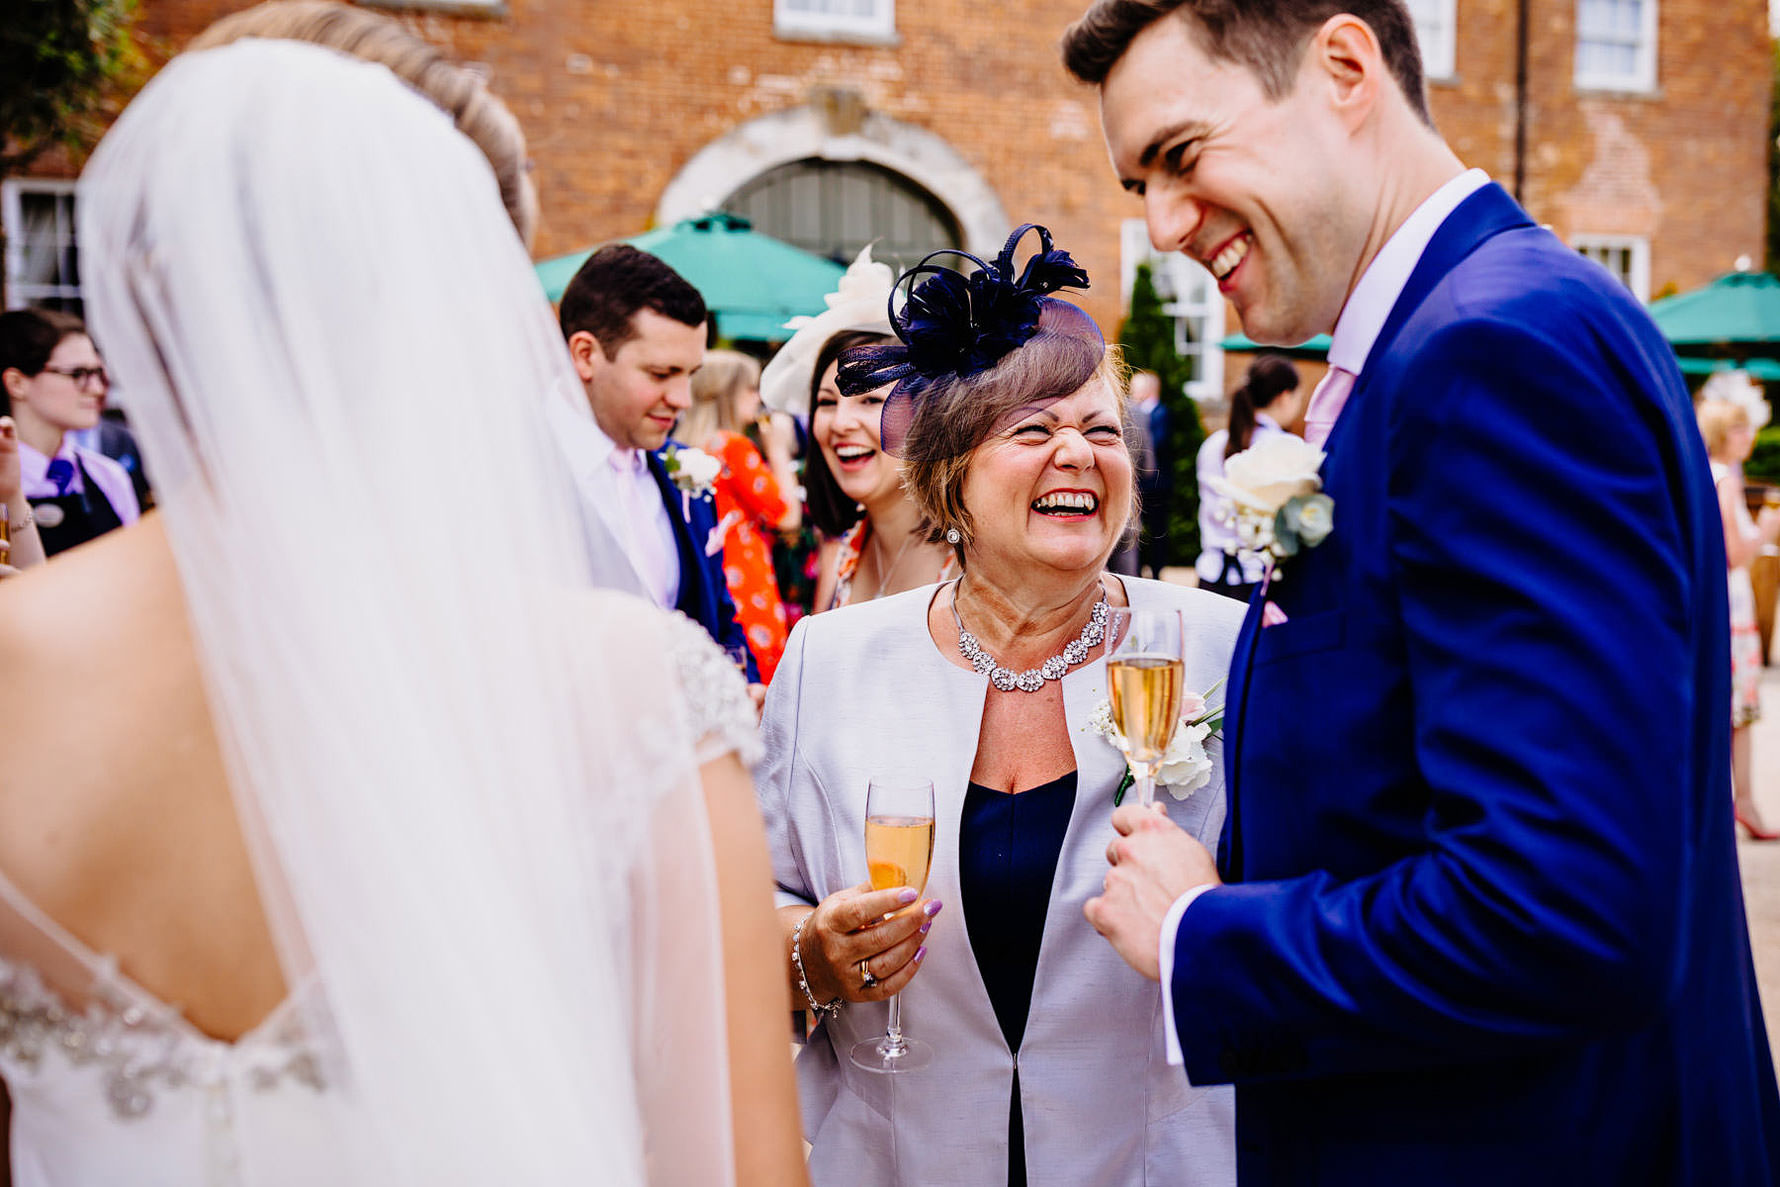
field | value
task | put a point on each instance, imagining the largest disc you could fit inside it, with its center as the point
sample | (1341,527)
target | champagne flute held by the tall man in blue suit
(1145,677)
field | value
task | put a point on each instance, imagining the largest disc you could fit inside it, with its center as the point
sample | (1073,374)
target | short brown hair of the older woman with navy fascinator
(935,478)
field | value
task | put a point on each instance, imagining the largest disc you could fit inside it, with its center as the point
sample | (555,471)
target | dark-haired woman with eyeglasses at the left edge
(54,385)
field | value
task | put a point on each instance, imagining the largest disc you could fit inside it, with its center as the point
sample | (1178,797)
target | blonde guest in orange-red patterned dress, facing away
(752,501)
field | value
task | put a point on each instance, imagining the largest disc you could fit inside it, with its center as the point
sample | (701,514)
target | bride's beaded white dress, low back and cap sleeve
(115,1086)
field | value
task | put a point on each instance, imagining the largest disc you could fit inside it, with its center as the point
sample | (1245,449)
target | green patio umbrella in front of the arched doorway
(754,284)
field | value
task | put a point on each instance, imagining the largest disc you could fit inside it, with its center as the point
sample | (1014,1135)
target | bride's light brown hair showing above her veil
(380,40)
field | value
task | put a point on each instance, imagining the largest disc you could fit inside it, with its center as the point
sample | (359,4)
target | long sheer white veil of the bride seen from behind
(467,780)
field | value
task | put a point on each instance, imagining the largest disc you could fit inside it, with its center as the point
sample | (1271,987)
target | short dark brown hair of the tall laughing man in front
(1266,36)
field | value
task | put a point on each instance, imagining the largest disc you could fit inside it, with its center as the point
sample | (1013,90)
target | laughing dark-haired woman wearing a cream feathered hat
(878,542)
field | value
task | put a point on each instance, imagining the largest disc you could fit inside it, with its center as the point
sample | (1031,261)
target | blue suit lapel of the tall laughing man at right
(1485,214)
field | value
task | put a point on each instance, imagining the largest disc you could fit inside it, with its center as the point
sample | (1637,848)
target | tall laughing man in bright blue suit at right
(1477,914)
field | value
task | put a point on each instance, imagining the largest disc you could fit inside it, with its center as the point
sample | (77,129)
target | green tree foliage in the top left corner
(65,67)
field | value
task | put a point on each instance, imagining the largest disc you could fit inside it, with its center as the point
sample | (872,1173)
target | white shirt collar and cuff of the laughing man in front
(1355,334)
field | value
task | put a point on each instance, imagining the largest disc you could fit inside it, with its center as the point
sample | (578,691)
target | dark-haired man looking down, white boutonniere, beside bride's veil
(636,332)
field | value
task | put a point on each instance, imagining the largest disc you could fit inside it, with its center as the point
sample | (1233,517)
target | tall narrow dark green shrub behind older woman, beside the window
(1149,343)
